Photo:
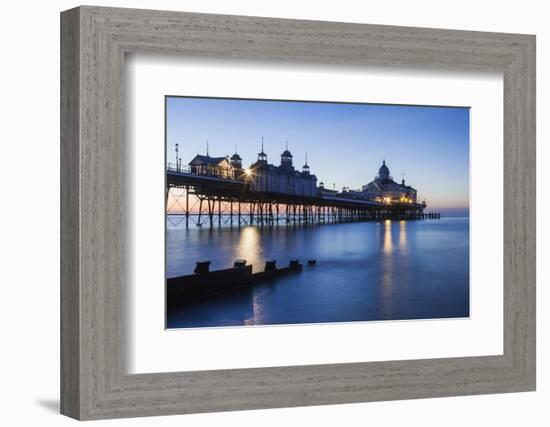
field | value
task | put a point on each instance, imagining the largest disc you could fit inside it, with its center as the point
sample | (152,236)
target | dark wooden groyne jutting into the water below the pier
(205,284)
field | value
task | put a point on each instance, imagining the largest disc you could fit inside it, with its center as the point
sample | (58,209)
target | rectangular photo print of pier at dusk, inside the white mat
(303,212)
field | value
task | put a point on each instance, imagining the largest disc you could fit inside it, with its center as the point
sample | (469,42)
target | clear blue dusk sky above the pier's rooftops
(345,143)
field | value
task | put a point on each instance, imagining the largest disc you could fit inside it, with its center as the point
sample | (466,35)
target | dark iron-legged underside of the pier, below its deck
(224,201)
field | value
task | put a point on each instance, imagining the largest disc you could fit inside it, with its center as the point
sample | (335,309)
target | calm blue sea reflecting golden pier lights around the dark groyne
(365,271)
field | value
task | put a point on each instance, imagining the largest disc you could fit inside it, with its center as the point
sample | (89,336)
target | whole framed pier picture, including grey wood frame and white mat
(262,213)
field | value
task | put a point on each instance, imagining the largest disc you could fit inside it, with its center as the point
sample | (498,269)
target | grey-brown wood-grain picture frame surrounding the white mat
(94,379)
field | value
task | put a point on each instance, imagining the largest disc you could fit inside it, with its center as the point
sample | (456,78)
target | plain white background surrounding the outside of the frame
(29,212)
